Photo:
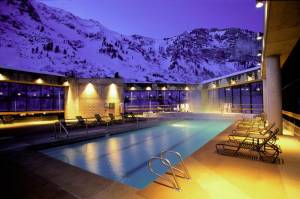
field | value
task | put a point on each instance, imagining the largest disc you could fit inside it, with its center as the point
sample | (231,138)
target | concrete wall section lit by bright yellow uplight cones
(86,97)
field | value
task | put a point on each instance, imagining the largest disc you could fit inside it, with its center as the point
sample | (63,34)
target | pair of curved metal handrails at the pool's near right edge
(166,162)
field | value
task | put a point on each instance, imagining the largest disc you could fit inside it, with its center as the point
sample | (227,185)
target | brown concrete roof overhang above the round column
(282,29)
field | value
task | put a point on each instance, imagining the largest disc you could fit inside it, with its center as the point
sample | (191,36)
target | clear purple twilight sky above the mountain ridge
(165,18)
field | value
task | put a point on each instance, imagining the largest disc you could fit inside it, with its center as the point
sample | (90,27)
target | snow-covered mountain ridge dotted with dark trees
(36,36)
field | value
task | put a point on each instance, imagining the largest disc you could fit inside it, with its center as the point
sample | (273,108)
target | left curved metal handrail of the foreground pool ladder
(167,163)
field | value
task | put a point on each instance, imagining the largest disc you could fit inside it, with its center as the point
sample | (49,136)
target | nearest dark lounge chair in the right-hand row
(267,150)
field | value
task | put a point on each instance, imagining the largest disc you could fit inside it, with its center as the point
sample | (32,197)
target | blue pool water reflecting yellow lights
(124,157)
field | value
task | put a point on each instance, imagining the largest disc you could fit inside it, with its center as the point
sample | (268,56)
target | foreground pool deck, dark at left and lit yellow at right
(29,174)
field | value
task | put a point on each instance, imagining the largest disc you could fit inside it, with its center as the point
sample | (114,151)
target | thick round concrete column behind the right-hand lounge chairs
(274,98)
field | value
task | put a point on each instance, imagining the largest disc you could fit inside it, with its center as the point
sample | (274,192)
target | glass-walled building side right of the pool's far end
(240,92)
